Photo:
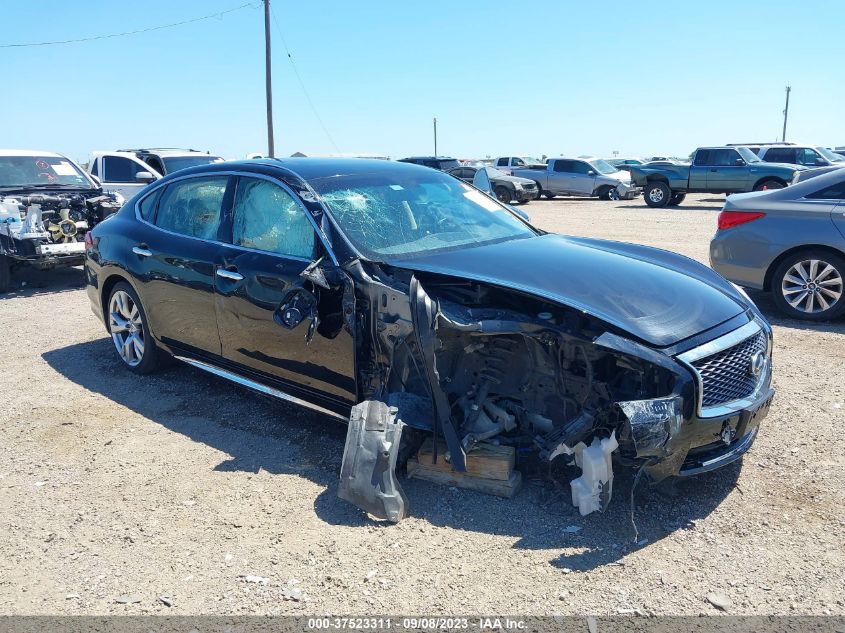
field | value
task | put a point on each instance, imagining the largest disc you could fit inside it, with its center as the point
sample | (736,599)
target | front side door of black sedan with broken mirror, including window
(272,242)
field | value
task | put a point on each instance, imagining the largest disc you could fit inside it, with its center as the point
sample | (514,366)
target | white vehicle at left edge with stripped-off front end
(47,205)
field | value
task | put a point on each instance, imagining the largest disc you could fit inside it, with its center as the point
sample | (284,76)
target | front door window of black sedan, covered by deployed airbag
(268,218)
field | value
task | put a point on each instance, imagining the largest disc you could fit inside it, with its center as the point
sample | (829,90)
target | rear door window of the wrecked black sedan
(192,206)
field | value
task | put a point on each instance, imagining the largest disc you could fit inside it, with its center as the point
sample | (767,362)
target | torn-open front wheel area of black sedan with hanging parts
(496,366)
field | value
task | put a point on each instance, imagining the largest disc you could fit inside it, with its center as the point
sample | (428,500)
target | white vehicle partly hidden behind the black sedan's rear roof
(129,170)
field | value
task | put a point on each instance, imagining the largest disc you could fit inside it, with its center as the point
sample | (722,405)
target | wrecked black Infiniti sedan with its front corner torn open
(375,291)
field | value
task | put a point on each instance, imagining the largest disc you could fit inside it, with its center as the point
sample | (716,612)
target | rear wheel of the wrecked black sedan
(124,309)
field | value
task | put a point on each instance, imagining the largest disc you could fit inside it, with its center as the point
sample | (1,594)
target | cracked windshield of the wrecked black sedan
(403,213)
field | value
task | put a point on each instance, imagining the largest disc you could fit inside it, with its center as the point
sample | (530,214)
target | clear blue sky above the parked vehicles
(502,77)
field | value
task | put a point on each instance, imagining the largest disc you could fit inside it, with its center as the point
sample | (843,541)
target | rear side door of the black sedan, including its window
(175,258)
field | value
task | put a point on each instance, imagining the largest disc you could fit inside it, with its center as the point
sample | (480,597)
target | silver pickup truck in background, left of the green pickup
(581,177)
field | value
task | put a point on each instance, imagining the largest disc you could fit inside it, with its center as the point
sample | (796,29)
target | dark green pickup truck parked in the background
(713,170)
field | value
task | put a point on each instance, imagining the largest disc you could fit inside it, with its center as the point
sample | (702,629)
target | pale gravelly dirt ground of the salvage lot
(179,493)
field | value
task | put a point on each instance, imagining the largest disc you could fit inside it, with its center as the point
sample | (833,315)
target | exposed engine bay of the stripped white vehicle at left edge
(48,230)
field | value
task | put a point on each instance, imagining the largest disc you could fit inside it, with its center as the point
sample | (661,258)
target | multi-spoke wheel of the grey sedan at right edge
(807,281)
